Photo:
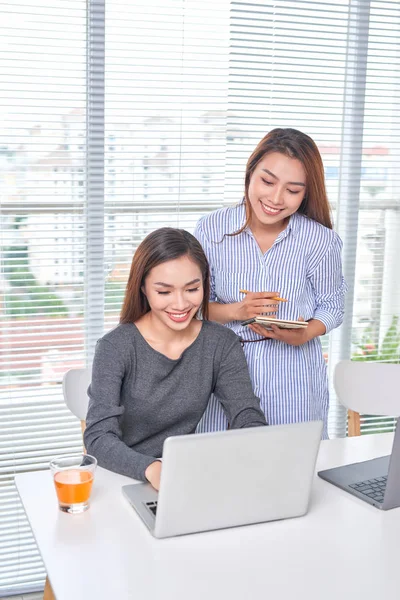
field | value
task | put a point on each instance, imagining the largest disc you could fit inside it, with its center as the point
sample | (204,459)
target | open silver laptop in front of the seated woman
(224,479)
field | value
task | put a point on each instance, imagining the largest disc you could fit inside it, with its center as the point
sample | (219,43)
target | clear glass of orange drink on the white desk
(73,478)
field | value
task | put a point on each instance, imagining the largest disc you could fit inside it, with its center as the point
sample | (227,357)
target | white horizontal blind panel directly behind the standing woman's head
(288,66)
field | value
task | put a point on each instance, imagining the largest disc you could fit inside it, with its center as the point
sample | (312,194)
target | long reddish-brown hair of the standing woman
(294,144)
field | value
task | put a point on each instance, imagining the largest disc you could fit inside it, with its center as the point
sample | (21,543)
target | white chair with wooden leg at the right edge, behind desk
(367,388)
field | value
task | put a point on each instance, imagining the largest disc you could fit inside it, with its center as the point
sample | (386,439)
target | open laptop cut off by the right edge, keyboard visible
(375,481)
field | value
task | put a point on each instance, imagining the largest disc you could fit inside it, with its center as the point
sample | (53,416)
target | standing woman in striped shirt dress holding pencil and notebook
(278,242)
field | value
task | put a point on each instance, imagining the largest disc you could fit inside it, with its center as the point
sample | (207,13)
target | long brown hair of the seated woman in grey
(158,247)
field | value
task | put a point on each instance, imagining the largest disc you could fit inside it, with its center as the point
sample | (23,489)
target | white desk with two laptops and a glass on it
(344,548)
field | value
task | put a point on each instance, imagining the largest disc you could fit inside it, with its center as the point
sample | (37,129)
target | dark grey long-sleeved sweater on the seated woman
(139,397)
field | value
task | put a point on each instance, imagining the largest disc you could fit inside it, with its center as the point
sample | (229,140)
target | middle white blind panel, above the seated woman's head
(166,92)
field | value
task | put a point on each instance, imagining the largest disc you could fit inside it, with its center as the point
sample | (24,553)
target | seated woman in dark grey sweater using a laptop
(153,374)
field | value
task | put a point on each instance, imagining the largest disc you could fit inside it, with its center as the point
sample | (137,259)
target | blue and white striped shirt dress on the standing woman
(304,266)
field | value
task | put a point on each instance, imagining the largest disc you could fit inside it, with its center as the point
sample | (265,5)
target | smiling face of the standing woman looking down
(276,190)
